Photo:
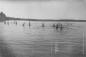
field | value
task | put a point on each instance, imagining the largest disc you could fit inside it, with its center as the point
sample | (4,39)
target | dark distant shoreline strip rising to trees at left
(3,17)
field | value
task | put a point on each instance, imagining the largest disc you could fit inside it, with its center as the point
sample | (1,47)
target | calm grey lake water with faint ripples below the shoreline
(40,39)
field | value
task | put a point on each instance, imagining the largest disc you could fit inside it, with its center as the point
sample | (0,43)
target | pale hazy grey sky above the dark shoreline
(44,9)
